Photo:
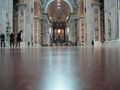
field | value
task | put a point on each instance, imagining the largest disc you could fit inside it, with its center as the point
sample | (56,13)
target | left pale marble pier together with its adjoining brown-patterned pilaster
(29,20)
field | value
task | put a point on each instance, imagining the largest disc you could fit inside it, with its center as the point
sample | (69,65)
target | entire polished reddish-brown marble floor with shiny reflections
(60,68)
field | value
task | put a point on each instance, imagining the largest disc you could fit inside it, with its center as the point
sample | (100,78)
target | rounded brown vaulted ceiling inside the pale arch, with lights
(58,11)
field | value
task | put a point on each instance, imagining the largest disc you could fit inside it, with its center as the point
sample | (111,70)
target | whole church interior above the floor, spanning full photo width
(62,22)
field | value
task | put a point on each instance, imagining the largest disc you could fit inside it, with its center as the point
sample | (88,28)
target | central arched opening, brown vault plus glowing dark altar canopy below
(58,13)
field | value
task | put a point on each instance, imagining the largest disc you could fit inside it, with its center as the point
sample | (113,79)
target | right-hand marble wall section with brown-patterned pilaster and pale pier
(89,21)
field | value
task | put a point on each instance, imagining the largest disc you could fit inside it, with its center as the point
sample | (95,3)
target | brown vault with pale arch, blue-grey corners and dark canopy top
(58,11)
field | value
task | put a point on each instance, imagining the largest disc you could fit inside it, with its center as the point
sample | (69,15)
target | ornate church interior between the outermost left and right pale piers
(60,22)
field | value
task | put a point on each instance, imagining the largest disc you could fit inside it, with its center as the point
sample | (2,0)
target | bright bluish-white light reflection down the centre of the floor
(59,75)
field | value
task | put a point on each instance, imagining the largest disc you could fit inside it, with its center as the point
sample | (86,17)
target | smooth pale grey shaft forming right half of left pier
(29,20)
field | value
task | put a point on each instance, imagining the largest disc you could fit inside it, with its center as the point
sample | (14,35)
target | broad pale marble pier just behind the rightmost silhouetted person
(26,20)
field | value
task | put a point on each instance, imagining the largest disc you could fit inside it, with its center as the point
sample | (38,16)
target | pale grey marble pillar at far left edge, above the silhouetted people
(6,17)
